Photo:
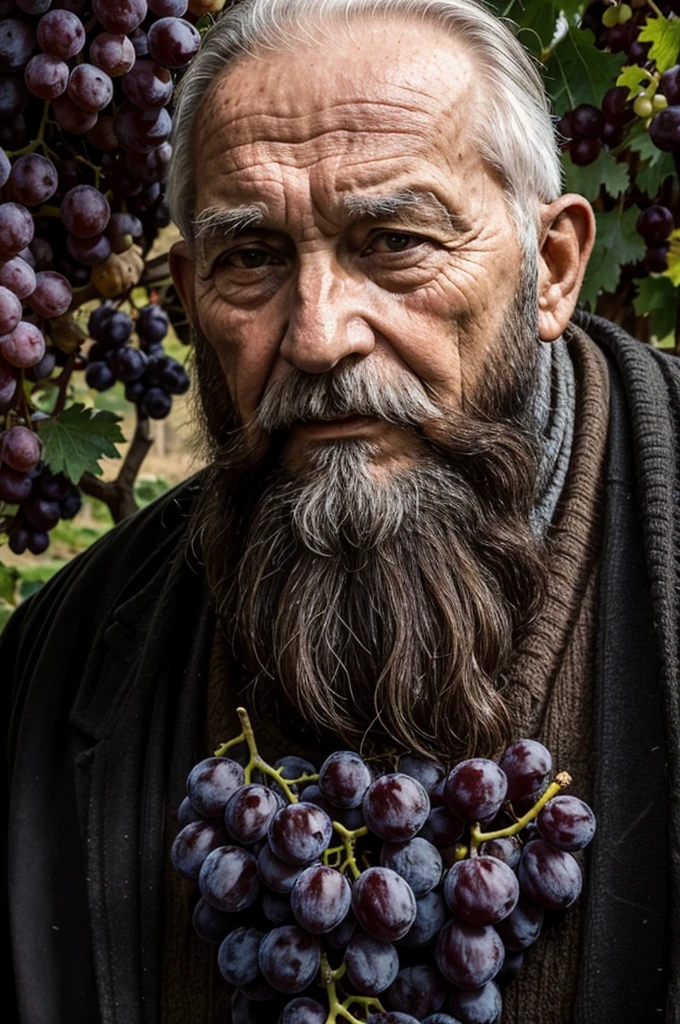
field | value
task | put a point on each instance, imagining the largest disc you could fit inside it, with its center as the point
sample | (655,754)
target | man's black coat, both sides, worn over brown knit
(105,671)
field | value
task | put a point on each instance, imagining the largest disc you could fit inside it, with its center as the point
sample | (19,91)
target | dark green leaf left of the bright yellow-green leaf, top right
(578,73)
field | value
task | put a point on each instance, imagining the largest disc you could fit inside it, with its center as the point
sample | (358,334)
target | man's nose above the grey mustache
(328,319)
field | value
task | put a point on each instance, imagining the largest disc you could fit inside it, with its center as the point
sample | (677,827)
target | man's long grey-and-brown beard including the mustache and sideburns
(389,610)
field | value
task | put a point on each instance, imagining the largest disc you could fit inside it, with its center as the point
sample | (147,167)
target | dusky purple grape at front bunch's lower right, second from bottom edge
(469,956)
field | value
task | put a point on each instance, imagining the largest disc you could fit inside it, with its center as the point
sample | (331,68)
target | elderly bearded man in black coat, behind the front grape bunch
(440,514)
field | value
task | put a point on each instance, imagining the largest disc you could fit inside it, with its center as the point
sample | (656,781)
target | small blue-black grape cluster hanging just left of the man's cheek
(150,375)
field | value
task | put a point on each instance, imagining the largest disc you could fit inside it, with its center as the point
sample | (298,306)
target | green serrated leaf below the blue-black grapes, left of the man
(78,439)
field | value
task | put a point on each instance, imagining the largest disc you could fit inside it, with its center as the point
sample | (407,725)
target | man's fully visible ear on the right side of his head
(568,236)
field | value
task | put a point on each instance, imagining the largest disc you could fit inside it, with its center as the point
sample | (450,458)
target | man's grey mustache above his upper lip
(359,389)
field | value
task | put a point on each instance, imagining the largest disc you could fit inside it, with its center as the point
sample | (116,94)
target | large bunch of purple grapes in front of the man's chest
(400,897)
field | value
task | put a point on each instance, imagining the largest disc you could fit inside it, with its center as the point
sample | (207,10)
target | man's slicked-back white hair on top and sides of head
(512,127)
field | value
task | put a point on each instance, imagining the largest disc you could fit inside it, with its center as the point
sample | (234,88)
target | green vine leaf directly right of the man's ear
(617,243)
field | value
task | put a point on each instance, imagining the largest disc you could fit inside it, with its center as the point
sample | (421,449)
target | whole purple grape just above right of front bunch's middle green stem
(396,807)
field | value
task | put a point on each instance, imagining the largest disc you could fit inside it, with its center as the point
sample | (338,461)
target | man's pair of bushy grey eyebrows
(219,225)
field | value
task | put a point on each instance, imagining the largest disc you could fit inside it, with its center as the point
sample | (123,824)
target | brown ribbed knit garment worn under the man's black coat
(551,696)
